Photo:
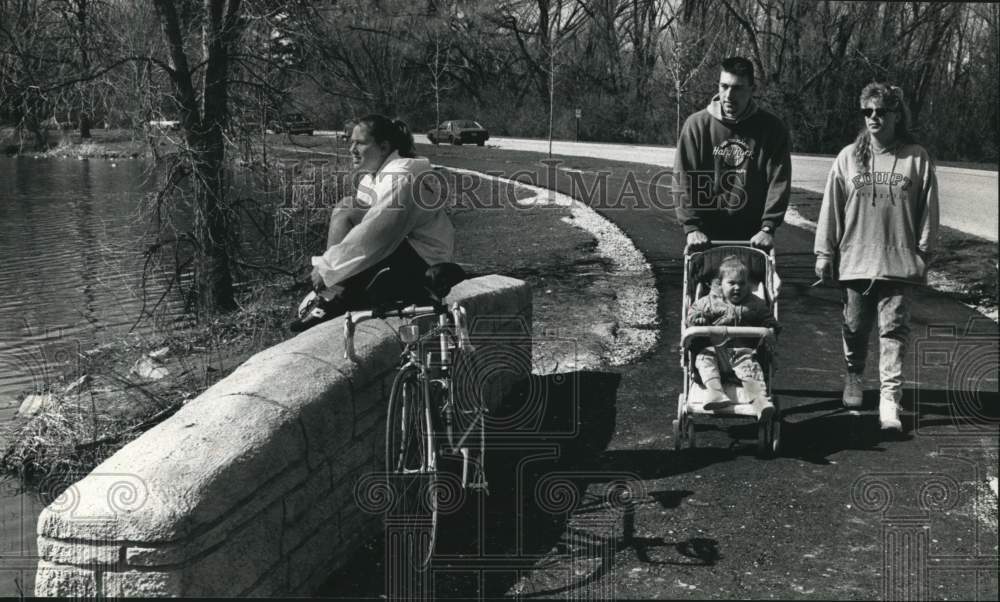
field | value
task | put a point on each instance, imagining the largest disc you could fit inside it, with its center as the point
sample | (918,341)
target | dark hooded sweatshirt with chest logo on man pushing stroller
(733,176)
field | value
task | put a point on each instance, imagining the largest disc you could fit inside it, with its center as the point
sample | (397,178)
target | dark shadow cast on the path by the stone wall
(542,462)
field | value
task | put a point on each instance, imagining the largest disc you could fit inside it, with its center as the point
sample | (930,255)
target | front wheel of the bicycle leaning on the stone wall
(411,466)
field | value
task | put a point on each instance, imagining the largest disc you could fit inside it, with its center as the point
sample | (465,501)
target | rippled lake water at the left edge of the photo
(70,264)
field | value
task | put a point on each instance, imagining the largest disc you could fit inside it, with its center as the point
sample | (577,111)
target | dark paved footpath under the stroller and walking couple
(842,514)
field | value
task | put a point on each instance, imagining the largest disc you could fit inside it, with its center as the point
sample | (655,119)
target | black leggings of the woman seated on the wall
(408,270)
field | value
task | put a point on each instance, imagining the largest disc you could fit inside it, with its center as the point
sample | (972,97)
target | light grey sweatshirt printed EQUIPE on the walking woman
(875,219)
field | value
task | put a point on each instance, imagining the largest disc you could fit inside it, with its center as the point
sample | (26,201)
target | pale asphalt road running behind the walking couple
(968,196)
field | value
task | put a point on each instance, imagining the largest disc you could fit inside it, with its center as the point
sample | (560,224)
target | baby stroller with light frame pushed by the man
(700,268)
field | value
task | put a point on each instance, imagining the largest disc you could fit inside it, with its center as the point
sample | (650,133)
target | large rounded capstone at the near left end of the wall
(192,470)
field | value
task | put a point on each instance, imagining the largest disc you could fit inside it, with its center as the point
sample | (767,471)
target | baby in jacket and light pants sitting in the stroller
(731,302)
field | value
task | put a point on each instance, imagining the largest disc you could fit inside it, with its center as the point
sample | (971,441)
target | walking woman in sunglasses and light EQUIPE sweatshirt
(876,232)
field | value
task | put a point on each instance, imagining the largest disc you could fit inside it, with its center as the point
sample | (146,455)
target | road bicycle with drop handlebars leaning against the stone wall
(424,409)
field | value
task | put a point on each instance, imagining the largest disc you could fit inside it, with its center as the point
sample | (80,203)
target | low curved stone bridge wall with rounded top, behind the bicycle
(253,487)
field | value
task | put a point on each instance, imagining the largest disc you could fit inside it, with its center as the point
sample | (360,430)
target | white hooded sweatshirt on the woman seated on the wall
(403,202)
